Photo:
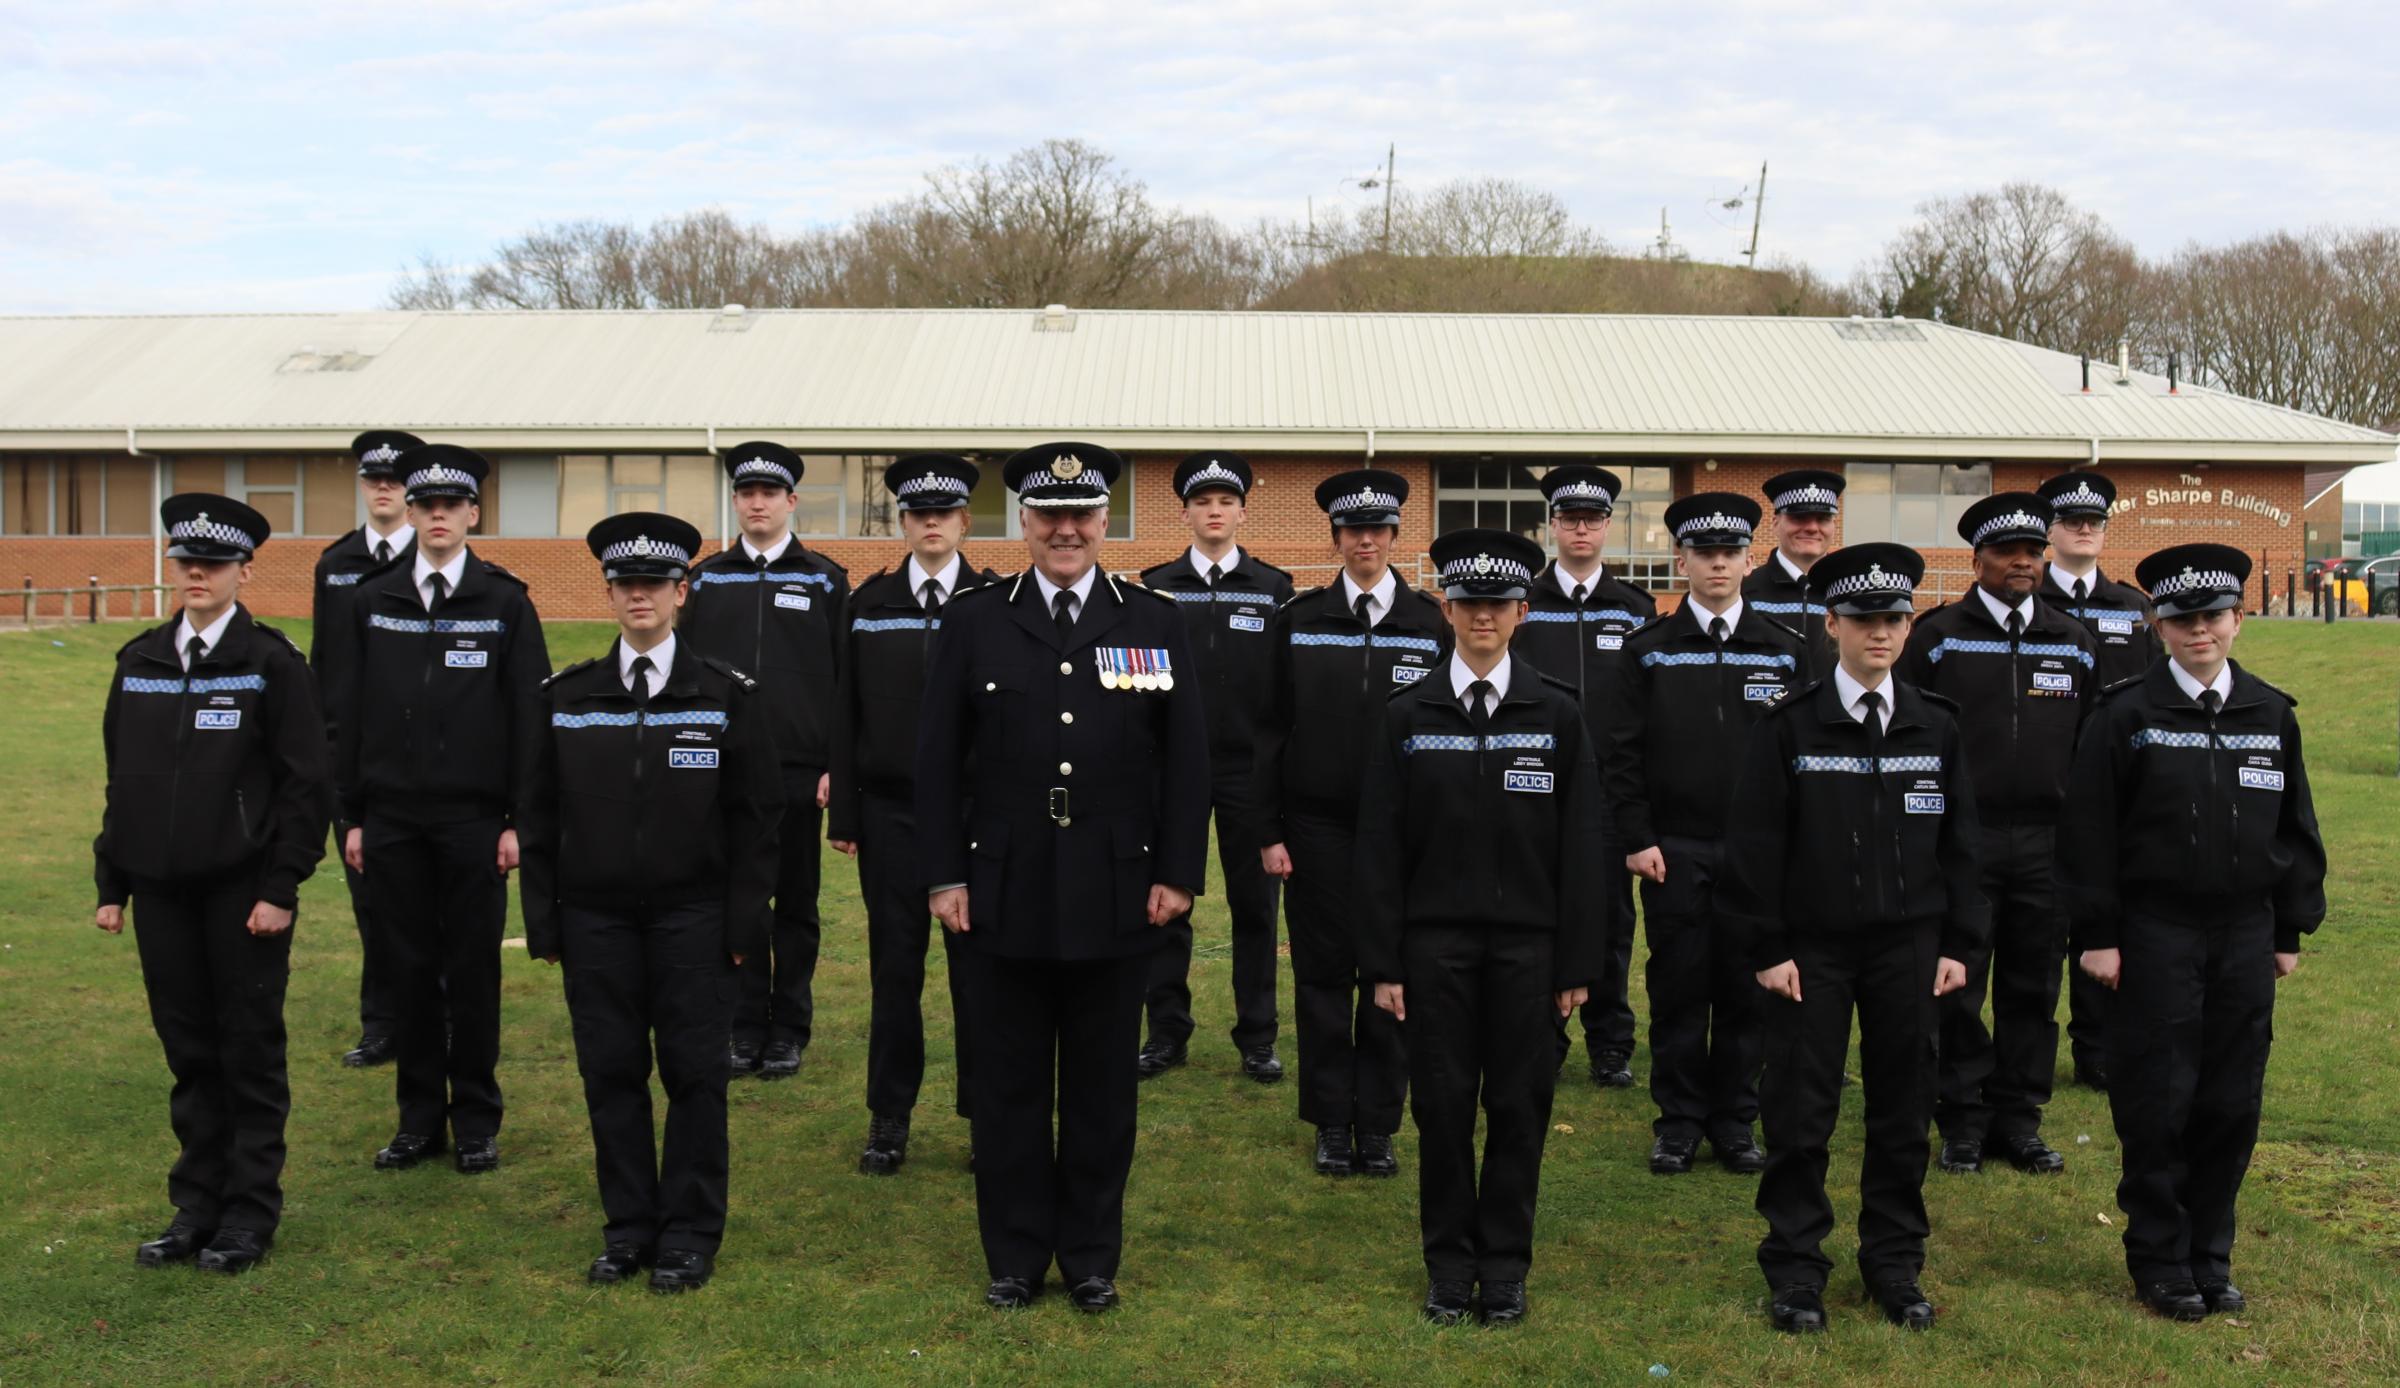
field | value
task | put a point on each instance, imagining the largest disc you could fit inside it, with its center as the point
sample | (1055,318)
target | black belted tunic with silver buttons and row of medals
(1060,801)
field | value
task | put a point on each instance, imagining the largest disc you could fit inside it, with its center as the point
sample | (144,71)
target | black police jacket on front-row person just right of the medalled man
(1496,832)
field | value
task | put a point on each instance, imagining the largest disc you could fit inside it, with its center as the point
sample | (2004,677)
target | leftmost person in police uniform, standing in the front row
(215,813)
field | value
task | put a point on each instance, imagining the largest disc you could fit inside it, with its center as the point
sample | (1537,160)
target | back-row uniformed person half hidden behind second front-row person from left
(774,609)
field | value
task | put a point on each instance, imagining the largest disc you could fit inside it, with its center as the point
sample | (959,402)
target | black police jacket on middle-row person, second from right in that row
(1681,717)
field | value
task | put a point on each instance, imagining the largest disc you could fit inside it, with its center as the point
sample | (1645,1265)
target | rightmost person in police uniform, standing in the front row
(2192,866)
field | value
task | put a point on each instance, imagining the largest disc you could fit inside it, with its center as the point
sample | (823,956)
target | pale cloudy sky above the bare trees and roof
(227,157)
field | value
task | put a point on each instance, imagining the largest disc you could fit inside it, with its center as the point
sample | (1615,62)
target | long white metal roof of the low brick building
(1144,381)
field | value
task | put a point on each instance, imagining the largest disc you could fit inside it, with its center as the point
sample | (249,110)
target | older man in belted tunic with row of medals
(1062,808)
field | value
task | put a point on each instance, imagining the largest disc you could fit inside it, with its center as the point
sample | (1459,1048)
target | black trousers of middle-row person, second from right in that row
(1705,1003)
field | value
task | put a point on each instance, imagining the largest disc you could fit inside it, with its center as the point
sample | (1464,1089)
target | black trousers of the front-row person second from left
(632,976)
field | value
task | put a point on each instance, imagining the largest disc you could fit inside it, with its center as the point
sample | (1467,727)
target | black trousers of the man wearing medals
(1055,1039)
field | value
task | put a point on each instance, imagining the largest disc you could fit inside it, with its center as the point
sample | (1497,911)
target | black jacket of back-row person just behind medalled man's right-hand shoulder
(1230,640)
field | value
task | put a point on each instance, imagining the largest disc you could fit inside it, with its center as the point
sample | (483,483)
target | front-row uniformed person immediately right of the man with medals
(1482,839)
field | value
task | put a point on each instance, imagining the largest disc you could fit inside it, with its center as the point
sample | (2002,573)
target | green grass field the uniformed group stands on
(1240,1267)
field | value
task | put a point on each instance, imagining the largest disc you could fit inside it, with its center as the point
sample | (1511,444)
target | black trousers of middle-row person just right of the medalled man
(1352,1060)
